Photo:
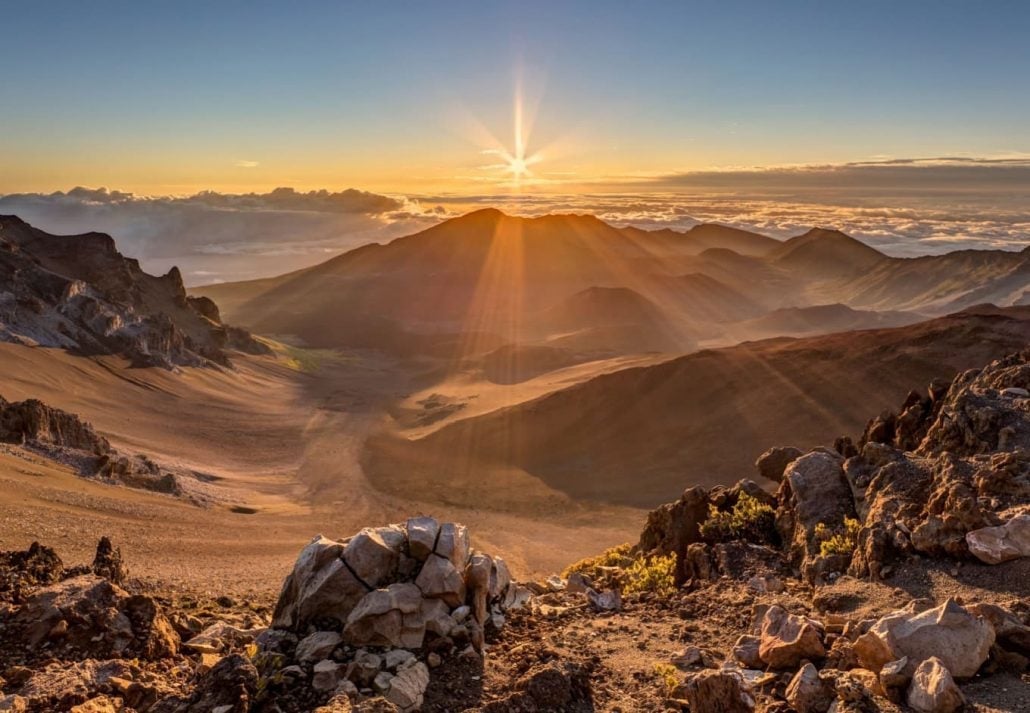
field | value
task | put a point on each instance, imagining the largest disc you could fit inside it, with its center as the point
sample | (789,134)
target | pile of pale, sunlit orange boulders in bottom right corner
(913,656)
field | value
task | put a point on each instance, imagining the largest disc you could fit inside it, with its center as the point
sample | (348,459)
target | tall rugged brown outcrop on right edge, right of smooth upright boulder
(969,477)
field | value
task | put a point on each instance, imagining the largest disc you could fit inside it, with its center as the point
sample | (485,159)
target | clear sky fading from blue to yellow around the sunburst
(179,97)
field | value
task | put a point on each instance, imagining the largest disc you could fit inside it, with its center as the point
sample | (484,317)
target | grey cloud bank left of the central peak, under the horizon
(217,237)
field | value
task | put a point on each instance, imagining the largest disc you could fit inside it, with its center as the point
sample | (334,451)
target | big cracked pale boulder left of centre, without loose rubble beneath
(394,586)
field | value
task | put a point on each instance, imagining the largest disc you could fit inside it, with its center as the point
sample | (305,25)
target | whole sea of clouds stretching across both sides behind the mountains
(217,237)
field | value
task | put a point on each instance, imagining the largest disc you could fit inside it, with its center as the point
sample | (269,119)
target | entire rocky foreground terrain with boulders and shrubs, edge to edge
(888,572)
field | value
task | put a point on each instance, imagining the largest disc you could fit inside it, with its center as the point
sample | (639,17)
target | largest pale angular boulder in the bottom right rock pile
(960,640)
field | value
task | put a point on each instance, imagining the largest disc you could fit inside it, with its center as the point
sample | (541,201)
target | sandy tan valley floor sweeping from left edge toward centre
(278,448)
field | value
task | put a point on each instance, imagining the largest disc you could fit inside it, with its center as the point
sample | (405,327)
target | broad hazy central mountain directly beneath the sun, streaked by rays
(485,273)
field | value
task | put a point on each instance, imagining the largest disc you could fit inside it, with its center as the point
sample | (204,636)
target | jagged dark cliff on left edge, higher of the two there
(81,294)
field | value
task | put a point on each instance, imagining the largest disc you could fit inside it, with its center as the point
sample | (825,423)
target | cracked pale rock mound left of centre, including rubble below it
(353,612)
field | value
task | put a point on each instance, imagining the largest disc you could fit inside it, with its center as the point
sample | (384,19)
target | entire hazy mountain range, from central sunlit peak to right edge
(482,281)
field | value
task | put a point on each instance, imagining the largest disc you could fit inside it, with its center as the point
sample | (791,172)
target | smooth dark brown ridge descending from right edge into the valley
(638,435)
